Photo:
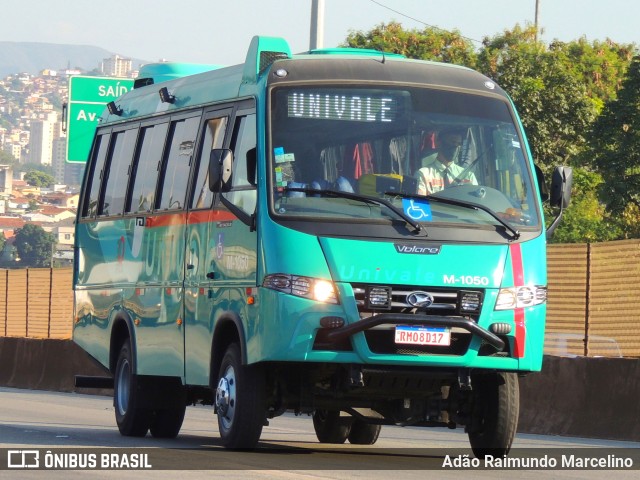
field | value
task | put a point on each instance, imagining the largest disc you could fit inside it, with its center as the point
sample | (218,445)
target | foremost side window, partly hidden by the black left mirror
(243,193)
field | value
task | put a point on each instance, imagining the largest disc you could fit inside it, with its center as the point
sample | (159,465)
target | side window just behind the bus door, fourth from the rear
(177,163)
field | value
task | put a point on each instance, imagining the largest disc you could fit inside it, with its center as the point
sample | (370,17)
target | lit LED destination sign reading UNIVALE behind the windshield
(355,107)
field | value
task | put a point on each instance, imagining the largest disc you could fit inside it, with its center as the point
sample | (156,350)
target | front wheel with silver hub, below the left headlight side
(240,401)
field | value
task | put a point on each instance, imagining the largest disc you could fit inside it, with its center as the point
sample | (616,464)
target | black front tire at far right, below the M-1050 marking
(495,410)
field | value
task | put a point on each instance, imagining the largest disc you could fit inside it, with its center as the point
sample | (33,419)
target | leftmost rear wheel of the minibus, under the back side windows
(132,420)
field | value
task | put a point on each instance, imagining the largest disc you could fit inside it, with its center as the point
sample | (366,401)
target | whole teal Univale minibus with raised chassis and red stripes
(345,234)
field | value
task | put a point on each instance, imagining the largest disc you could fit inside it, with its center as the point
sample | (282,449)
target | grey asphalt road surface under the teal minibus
(77,428)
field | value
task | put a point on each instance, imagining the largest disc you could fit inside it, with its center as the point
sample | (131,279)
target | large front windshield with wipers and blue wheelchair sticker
(412,146)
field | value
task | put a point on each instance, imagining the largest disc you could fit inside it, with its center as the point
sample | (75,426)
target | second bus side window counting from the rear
(119,162)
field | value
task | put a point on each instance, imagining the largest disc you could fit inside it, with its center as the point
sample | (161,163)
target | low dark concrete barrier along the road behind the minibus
(581,397)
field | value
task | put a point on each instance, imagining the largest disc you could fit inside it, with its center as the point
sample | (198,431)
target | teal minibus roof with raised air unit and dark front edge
(189,85)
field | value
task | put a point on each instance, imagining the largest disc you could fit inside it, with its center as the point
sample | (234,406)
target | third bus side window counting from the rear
(146,167)
